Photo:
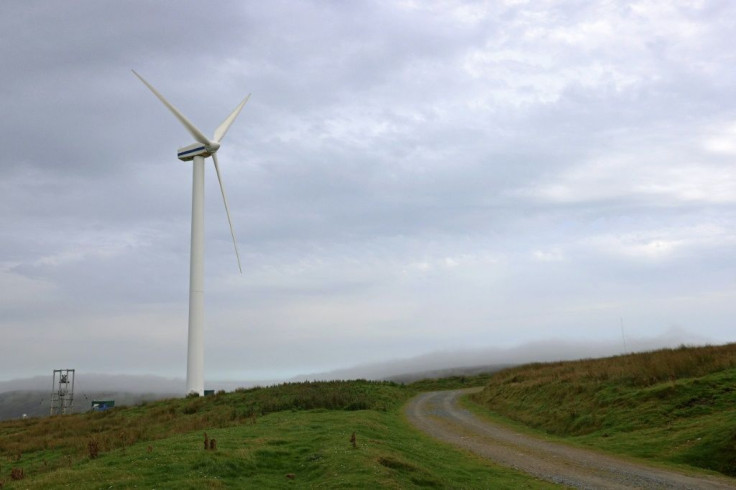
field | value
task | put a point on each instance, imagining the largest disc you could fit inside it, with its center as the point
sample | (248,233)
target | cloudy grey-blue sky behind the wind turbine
(408,177)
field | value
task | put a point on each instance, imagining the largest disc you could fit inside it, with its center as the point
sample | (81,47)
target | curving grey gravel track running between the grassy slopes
(439,415)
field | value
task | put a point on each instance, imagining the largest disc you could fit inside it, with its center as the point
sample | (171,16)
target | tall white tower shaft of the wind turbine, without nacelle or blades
(195,350)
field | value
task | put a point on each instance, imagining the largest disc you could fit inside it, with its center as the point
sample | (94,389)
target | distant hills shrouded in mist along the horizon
(31,395)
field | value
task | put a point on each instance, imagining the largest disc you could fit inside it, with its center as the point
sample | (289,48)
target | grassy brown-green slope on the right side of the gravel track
(673,405)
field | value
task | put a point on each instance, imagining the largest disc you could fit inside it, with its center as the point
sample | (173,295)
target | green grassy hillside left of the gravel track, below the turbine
(293,434)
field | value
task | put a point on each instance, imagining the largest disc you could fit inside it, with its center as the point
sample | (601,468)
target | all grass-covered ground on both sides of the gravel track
(675,406)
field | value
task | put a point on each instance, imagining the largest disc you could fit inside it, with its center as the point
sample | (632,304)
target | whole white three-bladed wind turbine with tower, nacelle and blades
(197,152)
